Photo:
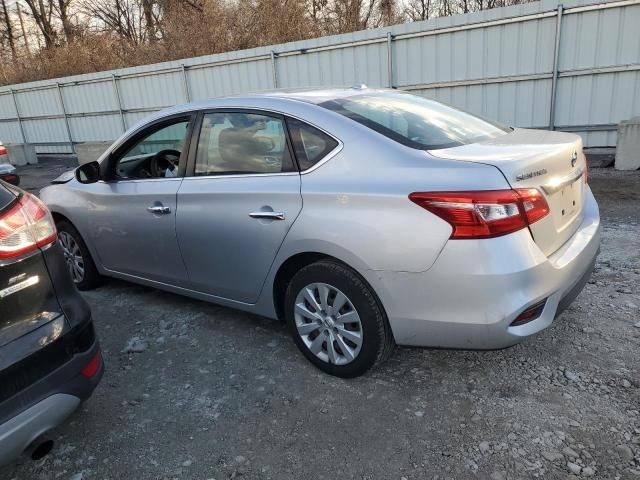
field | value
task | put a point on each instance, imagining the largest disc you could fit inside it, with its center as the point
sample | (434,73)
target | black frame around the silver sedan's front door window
(115,154)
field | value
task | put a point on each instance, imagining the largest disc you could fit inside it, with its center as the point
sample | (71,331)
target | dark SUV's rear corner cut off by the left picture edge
(50,360)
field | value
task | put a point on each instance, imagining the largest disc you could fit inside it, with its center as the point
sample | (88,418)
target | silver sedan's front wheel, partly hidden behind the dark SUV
(77,257)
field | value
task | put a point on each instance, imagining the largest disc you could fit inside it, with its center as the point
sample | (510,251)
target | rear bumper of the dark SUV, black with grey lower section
(35,407)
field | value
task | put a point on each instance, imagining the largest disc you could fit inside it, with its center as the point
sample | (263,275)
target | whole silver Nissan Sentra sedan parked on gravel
(364,218)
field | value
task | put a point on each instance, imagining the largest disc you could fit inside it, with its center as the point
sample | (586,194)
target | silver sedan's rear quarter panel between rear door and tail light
(356,205)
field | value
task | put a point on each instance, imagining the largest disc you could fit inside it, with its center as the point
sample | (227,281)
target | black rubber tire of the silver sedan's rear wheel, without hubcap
(377,339)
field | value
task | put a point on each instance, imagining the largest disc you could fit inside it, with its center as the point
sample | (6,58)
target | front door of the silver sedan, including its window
(132,217)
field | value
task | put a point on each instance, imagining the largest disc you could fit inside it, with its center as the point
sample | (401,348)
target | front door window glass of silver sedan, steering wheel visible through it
(156,154)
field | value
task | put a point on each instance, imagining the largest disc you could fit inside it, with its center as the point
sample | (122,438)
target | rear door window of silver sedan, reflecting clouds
(242,143)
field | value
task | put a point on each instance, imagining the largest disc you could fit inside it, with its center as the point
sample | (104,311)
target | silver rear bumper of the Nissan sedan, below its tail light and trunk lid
(476,288)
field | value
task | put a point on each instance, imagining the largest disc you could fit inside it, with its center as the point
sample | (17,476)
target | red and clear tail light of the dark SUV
(26,226)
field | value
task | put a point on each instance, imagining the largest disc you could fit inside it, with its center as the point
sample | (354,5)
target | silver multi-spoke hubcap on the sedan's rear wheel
(328,323)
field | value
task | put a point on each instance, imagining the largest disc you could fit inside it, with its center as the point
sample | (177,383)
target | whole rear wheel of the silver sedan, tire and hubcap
(336,320)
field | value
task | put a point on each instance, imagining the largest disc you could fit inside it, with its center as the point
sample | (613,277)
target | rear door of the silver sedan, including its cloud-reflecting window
(236,204)
